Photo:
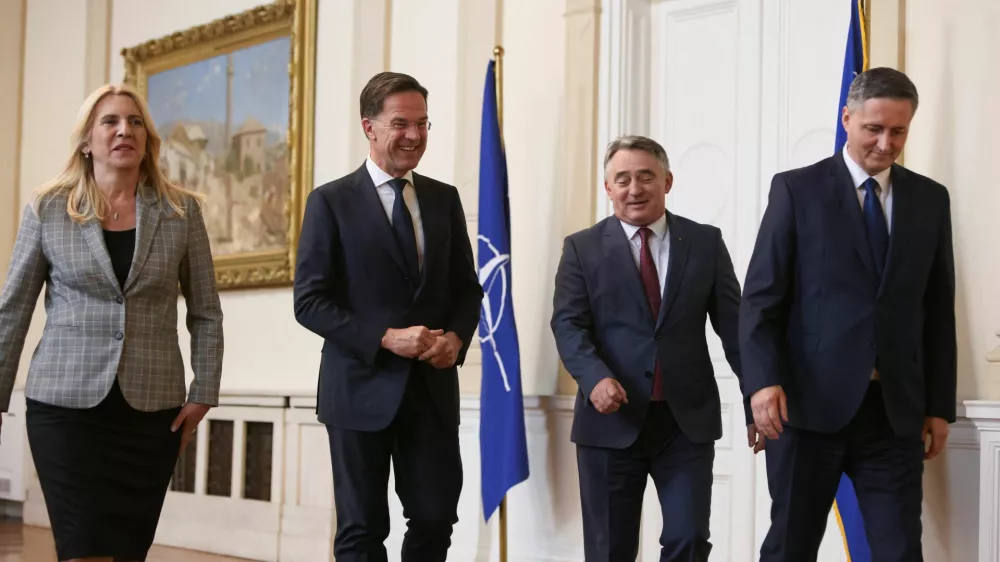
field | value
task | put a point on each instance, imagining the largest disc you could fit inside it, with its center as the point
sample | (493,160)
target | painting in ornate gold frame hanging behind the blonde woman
(233,101)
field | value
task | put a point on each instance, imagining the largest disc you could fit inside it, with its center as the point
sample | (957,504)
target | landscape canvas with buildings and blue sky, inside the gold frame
(224,122)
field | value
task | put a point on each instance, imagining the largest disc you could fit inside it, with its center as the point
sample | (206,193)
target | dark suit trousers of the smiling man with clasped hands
(427,467)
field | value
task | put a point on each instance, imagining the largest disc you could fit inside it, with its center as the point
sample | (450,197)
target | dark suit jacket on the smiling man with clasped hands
(351,285)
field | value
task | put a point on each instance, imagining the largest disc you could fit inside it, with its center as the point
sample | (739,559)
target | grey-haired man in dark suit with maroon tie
(632,294)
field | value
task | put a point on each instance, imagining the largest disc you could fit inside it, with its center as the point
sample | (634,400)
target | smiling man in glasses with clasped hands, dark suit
(385,275)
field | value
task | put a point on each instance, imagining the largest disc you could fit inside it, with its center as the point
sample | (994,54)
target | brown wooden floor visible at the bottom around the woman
(33,544)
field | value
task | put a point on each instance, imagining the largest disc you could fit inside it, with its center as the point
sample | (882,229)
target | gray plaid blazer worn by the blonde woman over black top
(95,330)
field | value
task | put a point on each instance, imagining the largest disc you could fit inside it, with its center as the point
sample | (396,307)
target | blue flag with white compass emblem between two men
(502,442)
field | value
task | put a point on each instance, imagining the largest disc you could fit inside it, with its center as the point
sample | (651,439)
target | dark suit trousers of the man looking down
(804,470)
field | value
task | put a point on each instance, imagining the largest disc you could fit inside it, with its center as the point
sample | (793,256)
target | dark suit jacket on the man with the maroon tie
(603,328)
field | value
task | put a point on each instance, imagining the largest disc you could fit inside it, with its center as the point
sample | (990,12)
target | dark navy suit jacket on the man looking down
(816,317)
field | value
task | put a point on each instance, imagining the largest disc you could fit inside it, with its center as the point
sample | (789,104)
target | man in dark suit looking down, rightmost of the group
(847,331)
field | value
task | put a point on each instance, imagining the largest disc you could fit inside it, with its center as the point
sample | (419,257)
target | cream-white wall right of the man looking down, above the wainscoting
(951,55)
